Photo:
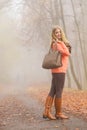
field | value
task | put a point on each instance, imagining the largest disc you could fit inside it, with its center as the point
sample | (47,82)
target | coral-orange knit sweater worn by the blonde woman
(65,55)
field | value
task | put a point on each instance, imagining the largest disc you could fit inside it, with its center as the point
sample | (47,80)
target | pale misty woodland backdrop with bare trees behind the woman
(25,35)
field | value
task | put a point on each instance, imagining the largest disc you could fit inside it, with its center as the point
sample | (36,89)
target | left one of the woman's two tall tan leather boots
(48,105)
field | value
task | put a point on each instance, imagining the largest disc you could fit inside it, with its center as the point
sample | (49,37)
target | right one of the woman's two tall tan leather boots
(59,114)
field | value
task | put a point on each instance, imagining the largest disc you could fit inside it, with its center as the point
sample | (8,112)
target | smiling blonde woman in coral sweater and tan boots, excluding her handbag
(59,42)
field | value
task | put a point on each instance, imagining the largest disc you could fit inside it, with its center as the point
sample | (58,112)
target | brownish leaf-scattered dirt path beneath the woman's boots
(23,112)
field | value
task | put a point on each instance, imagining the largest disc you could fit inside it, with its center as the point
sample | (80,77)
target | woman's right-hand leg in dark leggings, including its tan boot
(59,81)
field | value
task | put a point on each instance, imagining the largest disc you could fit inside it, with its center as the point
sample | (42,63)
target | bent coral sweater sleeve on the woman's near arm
(63,49)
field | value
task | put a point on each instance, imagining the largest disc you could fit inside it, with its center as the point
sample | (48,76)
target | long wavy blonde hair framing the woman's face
(54,38)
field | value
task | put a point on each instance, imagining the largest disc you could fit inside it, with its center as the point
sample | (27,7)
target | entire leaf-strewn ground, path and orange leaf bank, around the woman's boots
(23,110)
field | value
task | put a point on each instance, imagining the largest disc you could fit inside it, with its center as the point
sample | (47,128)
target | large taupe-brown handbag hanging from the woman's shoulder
(53,59)
